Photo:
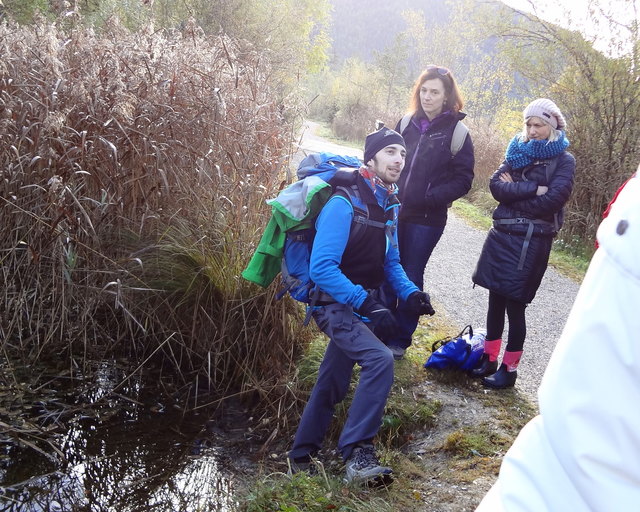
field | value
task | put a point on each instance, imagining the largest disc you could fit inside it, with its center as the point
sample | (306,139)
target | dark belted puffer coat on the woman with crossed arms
(513,259)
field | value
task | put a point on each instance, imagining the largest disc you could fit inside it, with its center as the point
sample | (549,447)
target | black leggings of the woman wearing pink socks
(498,305)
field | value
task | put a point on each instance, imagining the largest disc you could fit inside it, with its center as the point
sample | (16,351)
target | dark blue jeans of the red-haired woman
(416,243)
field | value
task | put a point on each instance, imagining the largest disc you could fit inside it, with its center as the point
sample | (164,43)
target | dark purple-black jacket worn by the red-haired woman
(432,179)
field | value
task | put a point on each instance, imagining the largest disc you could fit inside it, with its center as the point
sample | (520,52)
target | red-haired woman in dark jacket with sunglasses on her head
(438,171)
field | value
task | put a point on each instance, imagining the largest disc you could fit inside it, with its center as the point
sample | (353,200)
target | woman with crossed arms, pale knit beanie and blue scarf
(531,186)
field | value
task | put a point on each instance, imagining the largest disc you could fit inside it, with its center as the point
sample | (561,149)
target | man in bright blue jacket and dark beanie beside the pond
(351,271)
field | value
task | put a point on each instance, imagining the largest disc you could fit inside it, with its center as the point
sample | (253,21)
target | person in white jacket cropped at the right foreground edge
(582,452)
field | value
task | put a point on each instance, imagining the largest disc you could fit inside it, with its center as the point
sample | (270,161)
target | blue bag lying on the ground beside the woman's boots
(461,352)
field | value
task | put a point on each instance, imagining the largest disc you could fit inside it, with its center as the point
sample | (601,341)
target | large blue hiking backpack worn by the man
(339,172)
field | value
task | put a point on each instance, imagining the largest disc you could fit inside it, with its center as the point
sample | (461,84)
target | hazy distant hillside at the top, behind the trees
(358,30)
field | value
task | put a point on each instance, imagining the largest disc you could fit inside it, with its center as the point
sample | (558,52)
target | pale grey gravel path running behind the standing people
(448,281)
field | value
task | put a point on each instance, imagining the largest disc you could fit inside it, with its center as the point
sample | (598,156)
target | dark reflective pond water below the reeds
(119,451)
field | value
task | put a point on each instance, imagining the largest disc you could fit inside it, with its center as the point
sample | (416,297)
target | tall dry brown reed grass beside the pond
(134,172)
